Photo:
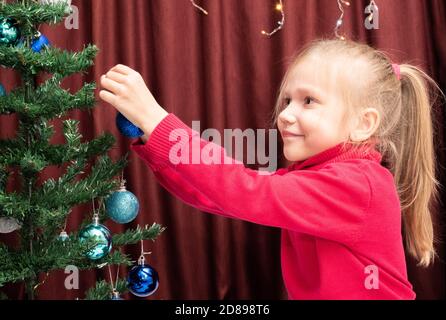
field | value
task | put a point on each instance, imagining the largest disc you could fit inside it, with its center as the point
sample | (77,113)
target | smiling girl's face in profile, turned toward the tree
(312,114)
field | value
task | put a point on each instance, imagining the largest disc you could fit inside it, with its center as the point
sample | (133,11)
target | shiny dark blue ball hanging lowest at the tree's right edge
(142,280)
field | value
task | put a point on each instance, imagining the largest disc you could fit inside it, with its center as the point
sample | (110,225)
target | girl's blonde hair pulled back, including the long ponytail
(364,77)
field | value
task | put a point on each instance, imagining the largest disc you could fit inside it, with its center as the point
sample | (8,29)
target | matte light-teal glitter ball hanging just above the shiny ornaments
(122,206)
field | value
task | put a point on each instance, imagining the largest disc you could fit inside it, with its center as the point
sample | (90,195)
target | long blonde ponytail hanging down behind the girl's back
(414,163)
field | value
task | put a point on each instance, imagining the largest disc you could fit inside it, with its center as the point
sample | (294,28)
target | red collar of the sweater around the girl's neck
(340,152)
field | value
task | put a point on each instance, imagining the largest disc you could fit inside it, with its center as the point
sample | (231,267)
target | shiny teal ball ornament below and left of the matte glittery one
(102,237)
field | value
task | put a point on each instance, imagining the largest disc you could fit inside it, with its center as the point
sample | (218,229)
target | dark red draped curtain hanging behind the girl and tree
(221,70)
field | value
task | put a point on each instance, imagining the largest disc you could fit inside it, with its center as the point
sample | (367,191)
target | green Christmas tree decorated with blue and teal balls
(38,210)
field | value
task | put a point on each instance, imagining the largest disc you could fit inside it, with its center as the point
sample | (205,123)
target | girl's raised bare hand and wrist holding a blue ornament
(125,89)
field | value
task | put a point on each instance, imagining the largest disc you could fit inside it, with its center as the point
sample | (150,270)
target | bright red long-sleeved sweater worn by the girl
(339,213)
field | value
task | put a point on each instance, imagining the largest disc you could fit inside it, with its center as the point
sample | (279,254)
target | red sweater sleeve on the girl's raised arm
(329,203)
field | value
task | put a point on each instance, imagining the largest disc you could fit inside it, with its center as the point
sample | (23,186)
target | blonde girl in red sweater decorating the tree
(343,110)
